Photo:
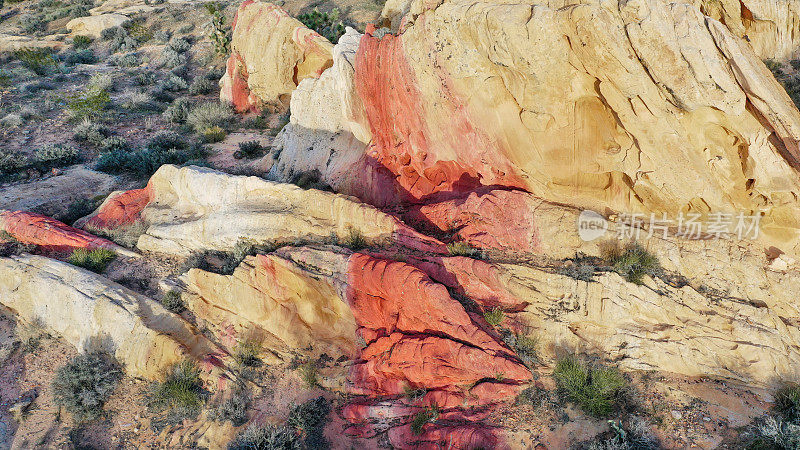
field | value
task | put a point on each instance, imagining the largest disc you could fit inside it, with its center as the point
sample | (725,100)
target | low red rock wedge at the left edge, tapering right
(36,229)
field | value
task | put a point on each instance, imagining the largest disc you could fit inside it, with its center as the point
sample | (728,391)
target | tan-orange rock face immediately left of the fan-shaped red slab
(276,302)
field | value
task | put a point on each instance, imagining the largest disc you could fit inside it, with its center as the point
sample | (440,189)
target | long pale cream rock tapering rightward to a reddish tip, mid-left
(195,209)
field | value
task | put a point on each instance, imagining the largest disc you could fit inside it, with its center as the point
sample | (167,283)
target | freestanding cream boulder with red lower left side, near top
(271,53)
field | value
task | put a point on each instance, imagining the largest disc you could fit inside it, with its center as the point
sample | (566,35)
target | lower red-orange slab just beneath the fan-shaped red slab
(394,362)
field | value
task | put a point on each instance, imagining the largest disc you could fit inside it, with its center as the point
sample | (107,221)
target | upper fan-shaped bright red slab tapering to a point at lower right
(391,296)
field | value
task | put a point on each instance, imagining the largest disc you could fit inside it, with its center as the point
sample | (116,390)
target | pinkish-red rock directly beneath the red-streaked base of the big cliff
(495,218)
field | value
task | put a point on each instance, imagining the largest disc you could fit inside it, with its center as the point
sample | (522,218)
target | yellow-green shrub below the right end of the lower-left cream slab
(180,395)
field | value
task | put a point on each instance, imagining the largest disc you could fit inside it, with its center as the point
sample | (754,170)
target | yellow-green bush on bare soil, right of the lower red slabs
(597,390)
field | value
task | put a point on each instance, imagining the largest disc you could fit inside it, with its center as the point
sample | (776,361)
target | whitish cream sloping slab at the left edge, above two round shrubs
(87,309)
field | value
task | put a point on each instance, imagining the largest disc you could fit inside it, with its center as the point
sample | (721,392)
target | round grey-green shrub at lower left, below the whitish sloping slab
(83,385)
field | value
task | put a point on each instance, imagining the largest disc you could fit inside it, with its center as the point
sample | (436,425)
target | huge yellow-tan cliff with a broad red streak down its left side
(637,106)
